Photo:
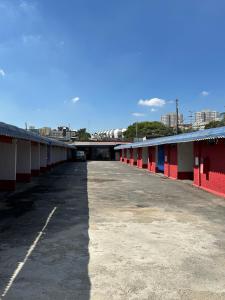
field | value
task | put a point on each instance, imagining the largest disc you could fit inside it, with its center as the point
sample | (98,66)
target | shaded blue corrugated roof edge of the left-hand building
(19,133)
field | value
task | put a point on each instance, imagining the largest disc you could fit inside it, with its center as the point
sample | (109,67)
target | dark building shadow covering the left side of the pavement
(58,266)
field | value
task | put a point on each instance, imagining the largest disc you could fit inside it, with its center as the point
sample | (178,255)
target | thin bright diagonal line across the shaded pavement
(29,252)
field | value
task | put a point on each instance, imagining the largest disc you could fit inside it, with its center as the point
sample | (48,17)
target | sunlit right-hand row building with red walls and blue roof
(198,156)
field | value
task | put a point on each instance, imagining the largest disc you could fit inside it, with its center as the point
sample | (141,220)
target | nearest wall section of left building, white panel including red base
(8,150)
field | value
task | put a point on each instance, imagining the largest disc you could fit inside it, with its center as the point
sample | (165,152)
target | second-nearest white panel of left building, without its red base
(23,164)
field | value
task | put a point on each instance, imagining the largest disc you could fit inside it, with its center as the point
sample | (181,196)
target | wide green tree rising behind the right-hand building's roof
(149,129)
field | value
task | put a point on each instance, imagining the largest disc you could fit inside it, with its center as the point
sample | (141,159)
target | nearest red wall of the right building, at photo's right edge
(210,173)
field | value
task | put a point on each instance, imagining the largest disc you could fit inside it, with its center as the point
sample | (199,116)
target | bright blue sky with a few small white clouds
(105,64)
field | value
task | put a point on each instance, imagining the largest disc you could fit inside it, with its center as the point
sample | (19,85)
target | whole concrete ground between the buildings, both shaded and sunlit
(118,233)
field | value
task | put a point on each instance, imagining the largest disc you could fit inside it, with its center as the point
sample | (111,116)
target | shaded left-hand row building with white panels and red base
(24,154)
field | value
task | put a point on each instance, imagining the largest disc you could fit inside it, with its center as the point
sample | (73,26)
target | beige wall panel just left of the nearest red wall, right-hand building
(185,157)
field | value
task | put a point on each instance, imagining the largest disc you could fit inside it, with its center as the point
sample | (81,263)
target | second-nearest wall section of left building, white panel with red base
(23,164)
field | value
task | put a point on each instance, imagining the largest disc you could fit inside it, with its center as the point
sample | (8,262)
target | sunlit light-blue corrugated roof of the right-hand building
(214,133)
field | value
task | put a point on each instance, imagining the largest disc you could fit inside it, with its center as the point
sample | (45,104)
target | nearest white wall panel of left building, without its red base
(8,160)
